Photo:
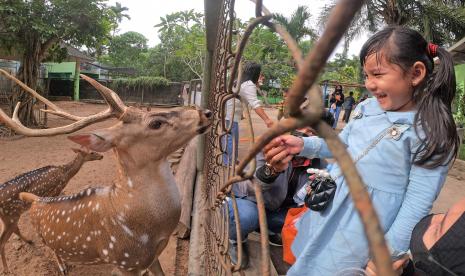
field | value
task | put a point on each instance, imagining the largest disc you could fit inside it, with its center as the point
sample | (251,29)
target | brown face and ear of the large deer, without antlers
(150,136)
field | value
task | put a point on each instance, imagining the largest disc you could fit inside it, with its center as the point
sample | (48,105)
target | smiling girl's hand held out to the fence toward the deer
(281,150)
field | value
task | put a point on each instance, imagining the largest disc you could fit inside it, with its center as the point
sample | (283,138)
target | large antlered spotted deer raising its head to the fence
(127,224)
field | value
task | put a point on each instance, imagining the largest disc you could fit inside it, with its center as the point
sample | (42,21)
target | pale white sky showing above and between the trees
(145,14)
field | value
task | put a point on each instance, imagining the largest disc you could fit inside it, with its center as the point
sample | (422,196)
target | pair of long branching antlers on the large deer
(116,109)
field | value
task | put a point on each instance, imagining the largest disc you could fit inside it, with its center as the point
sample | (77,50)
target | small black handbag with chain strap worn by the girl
(323,186)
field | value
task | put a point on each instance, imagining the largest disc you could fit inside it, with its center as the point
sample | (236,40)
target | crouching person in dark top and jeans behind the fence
(279,187)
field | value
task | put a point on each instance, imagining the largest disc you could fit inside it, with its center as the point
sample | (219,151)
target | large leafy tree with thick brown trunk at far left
(32,27)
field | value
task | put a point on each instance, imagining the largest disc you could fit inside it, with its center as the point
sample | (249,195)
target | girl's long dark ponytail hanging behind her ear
(439,139)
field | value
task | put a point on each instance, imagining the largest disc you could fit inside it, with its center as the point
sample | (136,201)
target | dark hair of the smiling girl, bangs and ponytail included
(433,97)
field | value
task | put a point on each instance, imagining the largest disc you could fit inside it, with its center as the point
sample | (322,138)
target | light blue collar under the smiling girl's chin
(370,107)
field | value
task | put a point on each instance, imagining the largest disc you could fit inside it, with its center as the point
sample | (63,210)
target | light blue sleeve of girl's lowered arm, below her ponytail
(423,188)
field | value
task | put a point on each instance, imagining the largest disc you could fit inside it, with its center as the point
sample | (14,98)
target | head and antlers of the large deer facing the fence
(135,125)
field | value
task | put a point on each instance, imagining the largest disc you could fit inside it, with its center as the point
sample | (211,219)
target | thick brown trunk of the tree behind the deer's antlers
(29,74)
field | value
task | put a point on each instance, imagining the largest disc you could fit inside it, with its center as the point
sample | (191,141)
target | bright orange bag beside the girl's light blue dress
(290,231)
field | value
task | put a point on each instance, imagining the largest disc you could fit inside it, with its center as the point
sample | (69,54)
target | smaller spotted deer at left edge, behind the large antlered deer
(45,181)
